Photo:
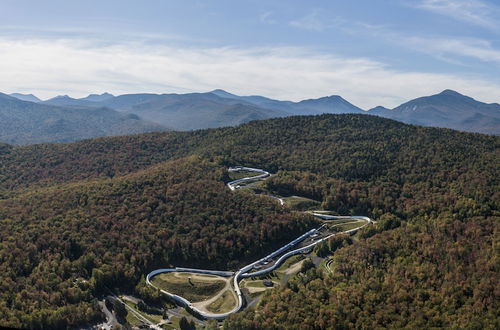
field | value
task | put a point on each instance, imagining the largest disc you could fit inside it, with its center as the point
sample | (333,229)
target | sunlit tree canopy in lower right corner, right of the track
(432,273)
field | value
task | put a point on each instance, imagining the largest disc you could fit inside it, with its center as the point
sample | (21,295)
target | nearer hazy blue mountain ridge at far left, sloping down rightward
(23,122)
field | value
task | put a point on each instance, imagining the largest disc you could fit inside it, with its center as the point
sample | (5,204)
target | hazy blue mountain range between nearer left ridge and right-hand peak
(207,110)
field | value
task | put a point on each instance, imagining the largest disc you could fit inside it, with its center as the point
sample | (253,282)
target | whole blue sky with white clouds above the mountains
(372,53)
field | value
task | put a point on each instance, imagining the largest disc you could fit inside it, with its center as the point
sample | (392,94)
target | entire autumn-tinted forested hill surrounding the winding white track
(81,216)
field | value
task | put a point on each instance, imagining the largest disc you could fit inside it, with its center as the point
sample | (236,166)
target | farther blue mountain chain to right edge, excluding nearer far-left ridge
(220,108)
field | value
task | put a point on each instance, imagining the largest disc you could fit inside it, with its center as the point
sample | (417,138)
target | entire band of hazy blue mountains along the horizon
(25,119)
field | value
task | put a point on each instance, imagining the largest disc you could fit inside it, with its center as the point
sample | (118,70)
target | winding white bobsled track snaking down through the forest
(244,272)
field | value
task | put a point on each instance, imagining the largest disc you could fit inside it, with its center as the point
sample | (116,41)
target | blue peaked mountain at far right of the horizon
(447,109)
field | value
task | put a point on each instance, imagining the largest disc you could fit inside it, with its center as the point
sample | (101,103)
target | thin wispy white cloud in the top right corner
(472,11)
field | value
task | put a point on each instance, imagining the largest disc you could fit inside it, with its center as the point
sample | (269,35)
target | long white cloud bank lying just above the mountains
(81,66)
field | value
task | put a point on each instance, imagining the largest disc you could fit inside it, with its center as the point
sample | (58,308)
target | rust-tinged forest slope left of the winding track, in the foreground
(63,245)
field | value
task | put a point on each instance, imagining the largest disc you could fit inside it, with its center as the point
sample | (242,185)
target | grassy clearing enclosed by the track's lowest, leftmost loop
(193,287)
